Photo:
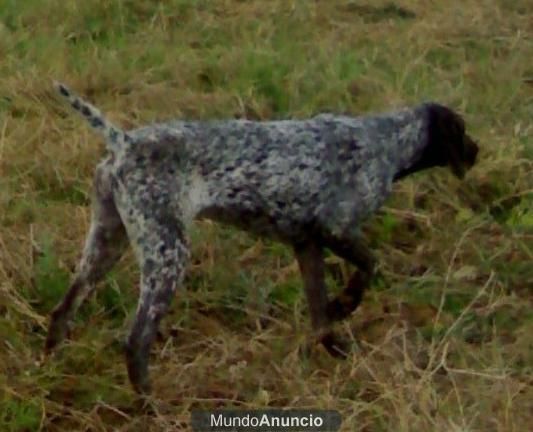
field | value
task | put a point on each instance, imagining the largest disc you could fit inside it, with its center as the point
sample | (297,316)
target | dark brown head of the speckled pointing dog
(448,143)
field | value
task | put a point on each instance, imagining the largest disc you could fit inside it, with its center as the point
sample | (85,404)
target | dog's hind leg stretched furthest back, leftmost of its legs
(104,245)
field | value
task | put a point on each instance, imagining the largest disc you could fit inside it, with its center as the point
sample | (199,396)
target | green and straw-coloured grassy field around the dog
(444,342)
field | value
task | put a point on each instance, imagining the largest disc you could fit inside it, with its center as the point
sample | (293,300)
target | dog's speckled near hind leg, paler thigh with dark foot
(162,252)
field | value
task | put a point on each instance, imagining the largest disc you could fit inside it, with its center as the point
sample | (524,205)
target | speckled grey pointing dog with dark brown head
(308,183)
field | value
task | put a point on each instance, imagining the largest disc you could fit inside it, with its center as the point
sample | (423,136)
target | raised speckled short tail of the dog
(115,137)
